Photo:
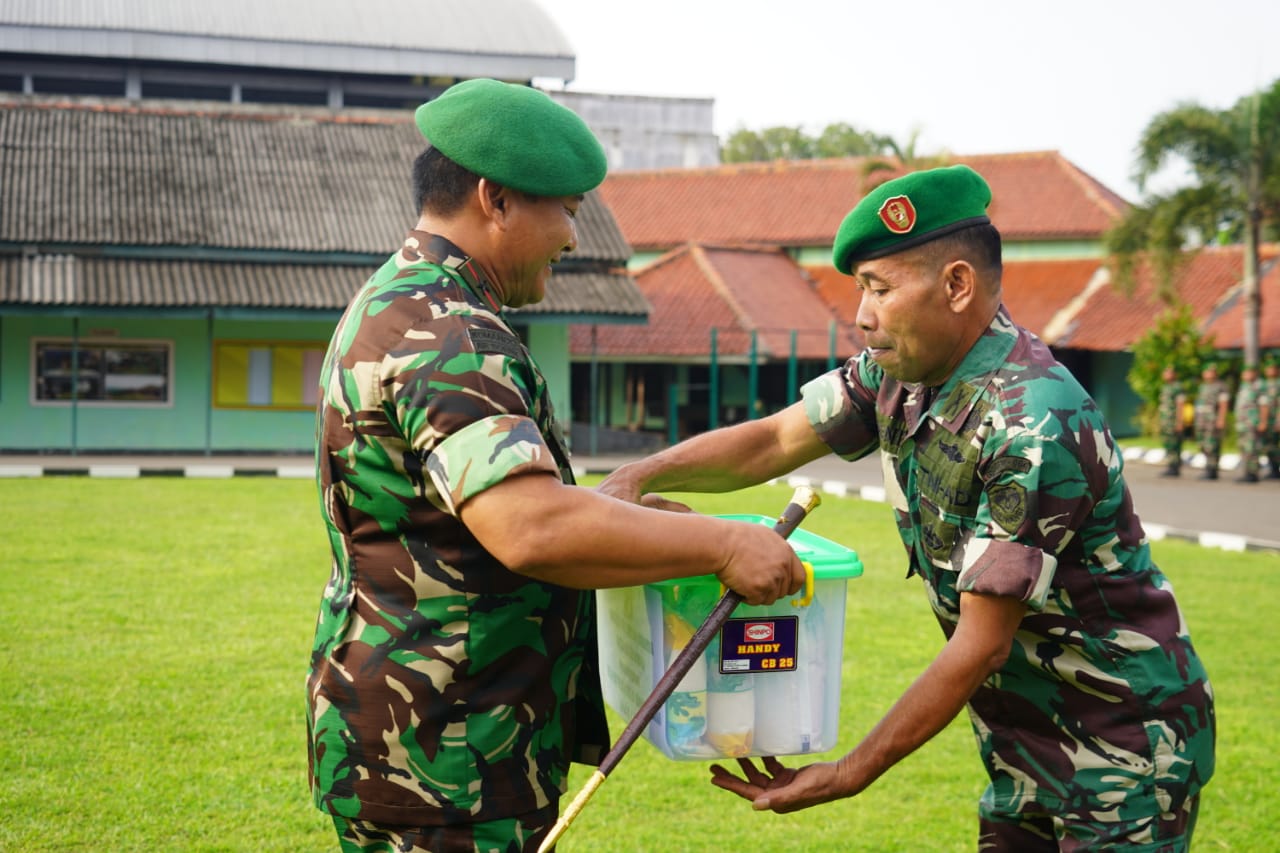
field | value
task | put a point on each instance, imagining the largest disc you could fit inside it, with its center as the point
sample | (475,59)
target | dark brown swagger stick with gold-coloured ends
(803,501)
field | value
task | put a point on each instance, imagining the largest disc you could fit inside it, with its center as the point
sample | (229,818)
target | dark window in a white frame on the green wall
(98,372)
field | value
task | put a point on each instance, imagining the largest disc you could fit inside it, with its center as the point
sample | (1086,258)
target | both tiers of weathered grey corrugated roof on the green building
(200,204)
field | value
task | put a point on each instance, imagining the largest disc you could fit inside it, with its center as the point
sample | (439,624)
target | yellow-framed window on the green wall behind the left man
(253,375)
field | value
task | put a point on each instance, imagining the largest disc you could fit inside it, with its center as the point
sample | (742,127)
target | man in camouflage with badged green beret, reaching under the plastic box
(1094,715)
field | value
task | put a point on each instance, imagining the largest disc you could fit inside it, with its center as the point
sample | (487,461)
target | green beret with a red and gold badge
(912,211)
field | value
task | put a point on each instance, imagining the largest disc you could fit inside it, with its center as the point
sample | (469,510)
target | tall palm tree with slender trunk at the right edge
(1235,157)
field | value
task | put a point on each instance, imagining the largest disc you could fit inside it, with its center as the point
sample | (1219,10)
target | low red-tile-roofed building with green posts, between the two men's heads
(747,316)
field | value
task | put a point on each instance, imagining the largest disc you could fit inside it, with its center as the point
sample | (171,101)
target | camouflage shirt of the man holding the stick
(444,687)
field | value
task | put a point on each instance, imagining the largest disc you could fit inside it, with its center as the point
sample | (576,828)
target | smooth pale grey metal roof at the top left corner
(509,39)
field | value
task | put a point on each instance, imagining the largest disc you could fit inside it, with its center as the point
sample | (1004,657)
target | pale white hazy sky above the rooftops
(1082,77)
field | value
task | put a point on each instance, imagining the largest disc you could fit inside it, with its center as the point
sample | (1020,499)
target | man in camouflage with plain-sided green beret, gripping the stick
(454,673)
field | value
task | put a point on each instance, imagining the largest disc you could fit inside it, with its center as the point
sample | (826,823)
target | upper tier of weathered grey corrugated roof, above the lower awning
(205,176)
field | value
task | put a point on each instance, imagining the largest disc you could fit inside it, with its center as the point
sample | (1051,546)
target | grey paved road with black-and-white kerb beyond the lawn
(1223,513)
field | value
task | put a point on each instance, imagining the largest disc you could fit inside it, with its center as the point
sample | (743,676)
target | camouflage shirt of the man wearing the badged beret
(1007,482)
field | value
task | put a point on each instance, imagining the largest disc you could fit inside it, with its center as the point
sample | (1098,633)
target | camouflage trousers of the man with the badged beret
(1044,833)
